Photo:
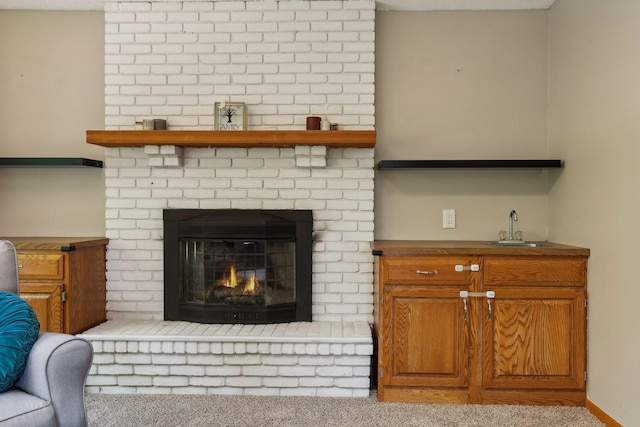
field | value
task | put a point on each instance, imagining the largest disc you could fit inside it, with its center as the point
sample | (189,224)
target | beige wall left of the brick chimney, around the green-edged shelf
(51,92)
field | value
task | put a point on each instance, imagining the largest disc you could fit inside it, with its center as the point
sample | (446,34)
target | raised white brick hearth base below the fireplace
(287,359)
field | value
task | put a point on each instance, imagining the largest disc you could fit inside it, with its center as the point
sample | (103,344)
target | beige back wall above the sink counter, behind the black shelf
(461,85)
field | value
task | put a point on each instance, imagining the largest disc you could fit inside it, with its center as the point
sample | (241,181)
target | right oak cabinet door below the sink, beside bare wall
(534,339)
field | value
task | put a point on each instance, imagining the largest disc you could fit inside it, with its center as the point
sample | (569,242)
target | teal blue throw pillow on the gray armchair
(19,329)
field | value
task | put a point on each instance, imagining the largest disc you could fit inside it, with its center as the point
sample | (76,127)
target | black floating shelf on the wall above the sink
(469,164)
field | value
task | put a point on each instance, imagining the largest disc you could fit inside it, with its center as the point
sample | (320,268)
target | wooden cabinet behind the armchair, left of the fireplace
(64,280)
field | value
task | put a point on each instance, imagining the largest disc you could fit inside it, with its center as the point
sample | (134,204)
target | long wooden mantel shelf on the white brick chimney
(240,139)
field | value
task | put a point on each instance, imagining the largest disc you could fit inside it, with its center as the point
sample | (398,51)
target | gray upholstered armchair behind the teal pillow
(51,390)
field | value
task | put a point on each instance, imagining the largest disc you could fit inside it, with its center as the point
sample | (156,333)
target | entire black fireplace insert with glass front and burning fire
(237,266)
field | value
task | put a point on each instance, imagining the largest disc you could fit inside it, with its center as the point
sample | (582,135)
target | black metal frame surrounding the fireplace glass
(237,224)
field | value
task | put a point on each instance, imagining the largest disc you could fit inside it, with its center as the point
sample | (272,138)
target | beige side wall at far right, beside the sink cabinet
(594,101)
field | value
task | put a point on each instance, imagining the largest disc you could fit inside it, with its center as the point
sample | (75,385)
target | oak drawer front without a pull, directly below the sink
(541,271)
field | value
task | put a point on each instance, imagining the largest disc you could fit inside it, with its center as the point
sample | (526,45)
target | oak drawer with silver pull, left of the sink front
(437,270)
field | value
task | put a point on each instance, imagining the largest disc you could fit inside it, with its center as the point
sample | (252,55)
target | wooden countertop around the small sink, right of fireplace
(460,247)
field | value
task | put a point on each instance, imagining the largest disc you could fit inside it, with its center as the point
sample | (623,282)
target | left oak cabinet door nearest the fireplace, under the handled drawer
(427,337)
